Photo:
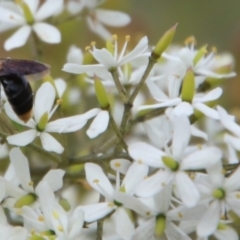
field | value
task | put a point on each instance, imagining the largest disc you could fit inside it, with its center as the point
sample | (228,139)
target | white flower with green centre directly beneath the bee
(40,126)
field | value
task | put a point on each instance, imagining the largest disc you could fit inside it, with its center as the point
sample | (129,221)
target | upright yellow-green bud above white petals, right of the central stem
(188,87)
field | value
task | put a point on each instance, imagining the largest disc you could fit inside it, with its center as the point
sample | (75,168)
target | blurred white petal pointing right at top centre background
(112,18)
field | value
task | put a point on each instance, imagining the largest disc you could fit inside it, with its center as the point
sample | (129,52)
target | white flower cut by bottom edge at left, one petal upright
(51,216)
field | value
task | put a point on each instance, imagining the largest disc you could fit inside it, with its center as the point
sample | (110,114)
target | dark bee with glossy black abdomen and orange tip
(14,76)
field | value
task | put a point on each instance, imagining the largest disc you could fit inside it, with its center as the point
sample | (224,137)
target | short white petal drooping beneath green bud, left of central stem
(99,124)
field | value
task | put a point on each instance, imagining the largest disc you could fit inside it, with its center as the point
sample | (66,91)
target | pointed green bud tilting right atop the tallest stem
(164,42)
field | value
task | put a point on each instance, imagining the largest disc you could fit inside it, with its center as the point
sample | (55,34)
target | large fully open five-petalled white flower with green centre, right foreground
(173,163)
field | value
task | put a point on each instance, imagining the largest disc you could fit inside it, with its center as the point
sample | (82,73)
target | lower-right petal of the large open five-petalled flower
(187,190)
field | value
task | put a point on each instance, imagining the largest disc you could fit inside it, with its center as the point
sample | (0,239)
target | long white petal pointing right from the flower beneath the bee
(71,124)
